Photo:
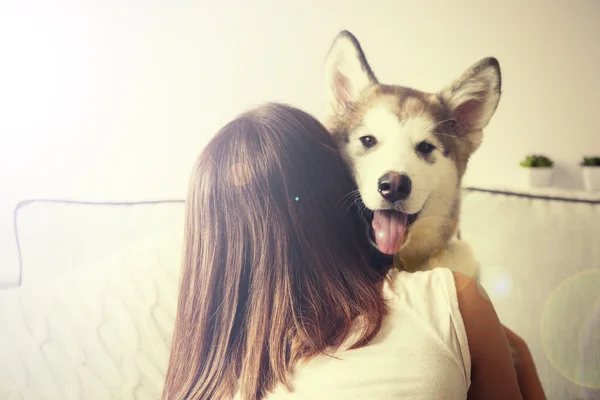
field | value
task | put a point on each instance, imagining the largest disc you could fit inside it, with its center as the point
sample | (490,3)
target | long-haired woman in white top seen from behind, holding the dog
(280,291)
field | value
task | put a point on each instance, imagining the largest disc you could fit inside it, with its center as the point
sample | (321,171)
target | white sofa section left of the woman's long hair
(100,326)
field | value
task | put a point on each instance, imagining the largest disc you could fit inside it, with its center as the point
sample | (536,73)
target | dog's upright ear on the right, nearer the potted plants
(473,98)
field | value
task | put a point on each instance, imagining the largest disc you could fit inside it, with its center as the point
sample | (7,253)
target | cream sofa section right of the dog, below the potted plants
(540,262)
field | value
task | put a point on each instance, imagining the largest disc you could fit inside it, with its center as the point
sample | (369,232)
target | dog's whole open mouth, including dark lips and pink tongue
(388,229)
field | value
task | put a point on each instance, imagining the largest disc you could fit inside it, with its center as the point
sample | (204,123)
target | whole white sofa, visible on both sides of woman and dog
(100,328)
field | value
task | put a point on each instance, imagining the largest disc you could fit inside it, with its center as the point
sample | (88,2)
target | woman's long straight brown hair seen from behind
(276,266)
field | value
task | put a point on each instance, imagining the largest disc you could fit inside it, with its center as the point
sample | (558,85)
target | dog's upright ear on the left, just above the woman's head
(347,74)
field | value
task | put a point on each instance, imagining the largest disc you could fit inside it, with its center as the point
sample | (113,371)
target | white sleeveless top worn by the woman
(420,353)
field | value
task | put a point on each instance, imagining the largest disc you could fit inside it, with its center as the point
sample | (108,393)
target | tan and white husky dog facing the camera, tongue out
(408,151)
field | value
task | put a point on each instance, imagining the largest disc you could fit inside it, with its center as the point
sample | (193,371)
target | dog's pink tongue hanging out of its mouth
(389,227)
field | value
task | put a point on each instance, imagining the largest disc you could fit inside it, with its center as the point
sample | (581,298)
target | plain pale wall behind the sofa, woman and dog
(113,100)
